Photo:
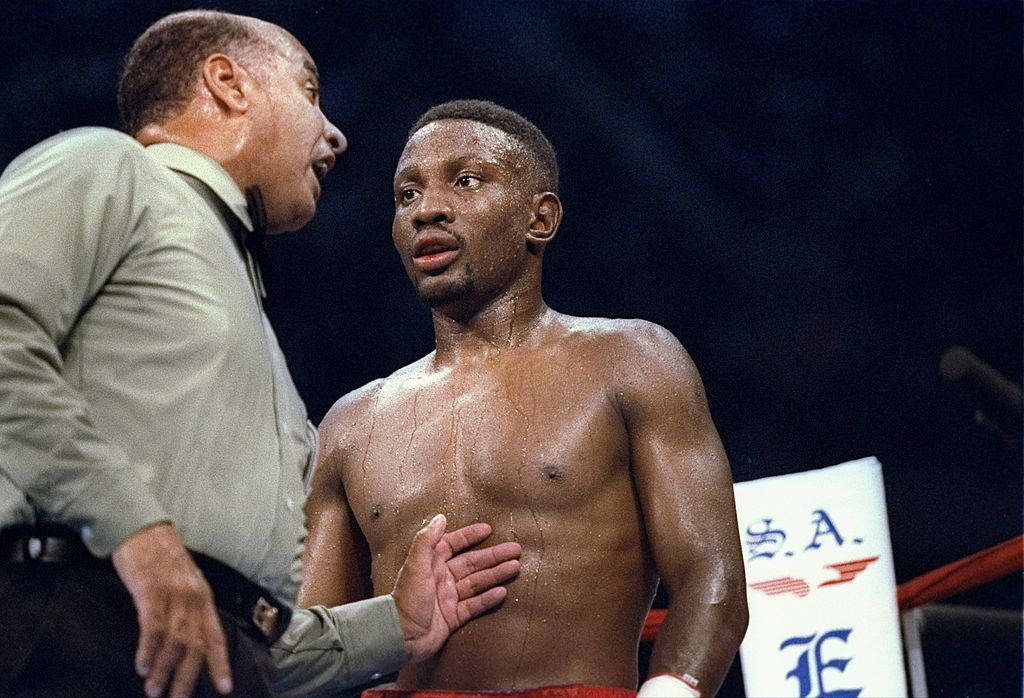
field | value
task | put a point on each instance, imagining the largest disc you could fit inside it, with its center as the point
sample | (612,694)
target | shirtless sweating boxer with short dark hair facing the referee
(587,441)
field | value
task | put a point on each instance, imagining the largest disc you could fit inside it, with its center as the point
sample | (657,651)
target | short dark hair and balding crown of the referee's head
(162,69)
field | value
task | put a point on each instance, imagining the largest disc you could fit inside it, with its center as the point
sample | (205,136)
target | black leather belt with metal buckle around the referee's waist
(257,610)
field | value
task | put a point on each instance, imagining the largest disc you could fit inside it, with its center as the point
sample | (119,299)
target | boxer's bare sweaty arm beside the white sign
(686,491)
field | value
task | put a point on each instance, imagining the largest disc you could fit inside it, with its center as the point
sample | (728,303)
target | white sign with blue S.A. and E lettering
(821,586)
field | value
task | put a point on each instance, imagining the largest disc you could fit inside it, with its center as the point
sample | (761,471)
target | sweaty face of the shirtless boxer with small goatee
(462,210)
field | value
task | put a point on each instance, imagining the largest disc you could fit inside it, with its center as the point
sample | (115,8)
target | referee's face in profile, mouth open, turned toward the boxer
(294,145)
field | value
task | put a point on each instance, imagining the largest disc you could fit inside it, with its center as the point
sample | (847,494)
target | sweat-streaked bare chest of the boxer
(513,440)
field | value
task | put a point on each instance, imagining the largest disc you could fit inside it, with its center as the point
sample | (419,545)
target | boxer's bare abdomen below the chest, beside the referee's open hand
(574,616)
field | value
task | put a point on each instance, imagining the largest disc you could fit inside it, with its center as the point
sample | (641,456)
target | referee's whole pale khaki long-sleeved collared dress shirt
(141,381)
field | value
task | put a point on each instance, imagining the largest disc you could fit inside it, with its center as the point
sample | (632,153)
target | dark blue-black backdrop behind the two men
(817,199)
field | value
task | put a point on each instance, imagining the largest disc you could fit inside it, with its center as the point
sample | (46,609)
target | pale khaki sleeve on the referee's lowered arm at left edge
(68,215)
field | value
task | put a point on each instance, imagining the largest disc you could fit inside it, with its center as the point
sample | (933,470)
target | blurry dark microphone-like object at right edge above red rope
(1001,400)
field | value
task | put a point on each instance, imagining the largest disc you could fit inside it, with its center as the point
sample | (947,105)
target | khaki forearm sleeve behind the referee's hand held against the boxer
(327,650)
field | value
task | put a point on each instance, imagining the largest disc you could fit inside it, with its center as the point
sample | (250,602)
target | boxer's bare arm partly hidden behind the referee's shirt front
(336,564)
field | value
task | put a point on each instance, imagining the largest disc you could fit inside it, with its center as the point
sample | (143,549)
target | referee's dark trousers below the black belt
(71,630)
